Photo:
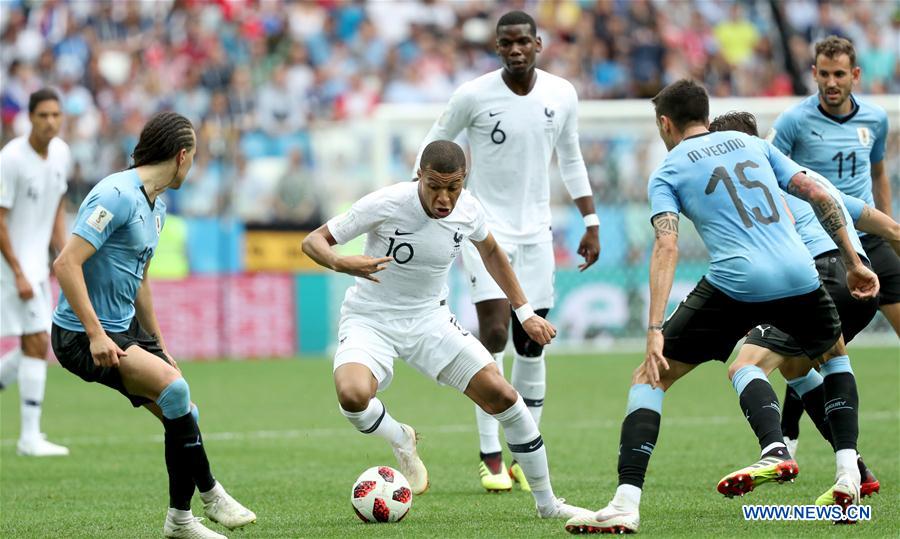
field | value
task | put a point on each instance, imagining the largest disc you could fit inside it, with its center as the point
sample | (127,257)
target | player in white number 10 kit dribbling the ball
(398,308)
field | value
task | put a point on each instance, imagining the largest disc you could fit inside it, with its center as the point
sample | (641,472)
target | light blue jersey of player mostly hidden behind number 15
(815,238)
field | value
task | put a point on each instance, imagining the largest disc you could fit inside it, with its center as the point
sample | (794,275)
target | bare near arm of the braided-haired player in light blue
(69,271)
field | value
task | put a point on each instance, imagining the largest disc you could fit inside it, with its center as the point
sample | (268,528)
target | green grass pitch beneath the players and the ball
(278,443)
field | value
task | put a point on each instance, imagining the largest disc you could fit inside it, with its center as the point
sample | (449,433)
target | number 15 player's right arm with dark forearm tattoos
(863,283)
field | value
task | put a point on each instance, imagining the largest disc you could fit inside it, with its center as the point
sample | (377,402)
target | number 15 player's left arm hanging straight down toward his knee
(662,272)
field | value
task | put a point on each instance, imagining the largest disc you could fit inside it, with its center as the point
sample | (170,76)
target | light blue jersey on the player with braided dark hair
(119,221)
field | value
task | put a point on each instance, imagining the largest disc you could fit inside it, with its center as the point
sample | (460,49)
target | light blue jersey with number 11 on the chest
(841,149)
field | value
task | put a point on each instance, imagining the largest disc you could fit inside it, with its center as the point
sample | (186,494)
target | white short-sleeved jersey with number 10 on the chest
(423,249)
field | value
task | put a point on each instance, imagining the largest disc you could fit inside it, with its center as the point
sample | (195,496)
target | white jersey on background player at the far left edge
(31,187)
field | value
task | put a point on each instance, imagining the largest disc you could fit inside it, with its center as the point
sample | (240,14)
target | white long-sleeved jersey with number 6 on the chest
(512,139)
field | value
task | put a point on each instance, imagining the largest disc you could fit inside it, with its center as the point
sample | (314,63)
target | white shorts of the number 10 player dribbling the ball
(433,344)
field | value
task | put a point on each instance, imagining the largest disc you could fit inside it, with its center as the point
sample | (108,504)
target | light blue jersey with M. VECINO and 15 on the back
(729,185)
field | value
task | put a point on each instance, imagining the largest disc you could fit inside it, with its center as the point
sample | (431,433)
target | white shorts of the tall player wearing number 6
(533,264)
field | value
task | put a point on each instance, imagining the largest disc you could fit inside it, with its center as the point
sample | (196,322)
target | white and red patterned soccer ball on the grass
(381,494)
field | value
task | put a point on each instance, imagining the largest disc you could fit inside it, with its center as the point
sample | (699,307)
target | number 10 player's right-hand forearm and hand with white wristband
(495,261)
